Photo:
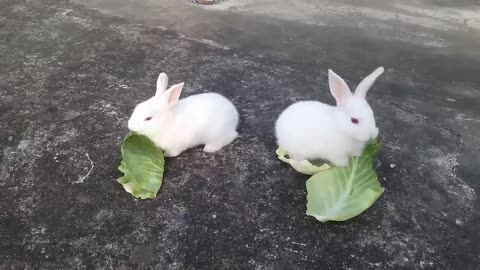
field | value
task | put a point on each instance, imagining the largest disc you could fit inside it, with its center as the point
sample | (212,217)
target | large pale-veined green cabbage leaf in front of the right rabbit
(341,193)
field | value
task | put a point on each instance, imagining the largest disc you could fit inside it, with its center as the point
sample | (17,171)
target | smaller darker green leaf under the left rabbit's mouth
(143,166)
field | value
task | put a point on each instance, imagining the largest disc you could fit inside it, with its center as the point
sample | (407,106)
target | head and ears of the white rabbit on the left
(153,115)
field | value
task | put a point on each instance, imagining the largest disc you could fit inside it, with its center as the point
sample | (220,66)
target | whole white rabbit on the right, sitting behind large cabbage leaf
(310,130)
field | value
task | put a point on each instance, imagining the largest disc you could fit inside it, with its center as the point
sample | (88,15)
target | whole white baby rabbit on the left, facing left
(176,125)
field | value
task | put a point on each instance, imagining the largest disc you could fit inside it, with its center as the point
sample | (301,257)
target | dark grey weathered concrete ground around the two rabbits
(72,71)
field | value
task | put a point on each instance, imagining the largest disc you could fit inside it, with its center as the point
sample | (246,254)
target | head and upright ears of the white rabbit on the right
(353,114)
